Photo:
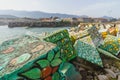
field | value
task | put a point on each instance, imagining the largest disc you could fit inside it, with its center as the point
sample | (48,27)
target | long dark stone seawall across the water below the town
(42,24)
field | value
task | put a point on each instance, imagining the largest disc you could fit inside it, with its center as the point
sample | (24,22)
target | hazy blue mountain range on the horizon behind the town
(35,14)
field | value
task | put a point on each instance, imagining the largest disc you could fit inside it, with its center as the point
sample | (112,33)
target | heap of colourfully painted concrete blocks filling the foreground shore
(78,55)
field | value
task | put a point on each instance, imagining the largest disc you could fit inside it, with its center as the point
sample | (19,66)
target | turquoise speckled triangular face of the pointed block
(90,53)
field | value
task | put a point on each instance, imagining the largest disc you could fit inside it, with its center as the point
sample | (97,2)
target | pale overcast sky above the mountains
(93,8)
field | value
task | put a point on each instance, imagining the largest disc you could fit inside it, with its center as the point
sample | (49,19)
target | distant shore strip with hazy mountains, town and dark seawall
(14,18)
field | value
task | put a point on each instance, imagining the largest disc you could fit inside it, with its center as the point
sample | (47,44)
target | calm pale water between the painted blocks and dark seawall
(7,33)
